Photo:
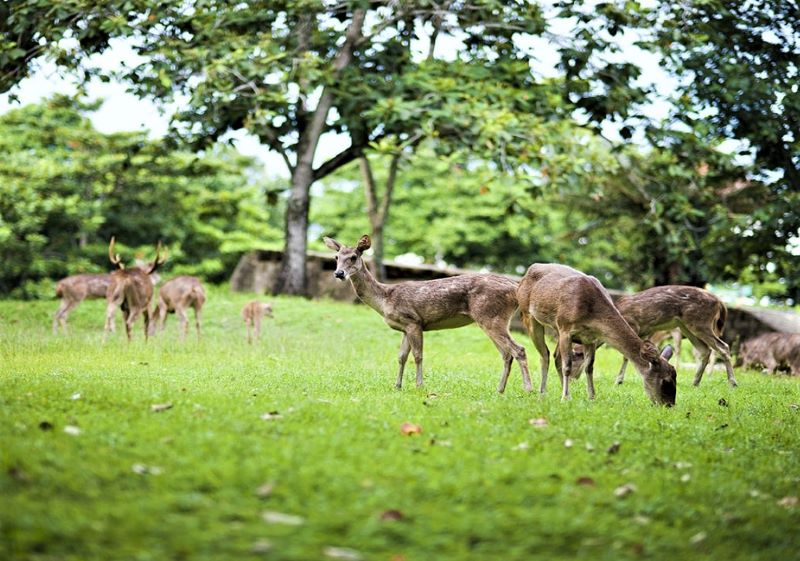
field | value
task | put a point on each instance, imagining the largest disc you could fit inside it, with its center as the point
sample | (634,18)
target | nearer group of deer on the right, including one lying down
(574,305)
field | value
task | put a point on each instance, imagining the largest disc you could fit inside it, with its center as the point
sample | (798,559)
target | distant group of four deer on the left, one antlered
(131,290)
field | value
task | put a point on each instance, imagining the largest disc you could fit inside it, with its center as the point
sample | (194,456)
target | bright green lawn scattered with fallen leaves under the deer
(480,482)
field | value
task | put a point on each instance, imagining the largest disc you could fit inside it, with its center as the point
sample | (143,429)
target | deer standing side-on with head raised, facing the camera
(413,307)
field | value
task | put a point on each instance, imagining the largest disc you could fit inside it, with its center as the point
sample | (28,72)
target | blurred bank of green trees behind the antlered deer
(66,189)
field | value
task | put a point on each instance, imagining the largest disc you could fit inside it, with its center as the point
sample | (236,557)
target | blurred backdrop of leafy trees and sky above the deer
(643,142)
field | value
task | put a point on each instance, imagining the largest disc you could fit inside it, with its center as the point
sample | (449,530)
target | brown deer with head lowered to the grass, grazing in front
(580,310)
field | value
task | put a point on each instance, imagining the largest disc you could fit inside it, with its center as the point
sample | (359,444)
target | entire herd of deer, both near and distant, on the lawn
(574,305)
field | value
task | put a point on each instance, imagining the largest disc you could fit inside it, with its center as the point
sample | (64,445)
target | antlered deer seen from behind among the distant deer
(131,290)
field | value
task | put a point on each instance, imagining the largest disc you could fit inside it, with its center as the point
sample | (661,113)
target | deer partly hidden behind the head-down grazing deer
(699,315)
